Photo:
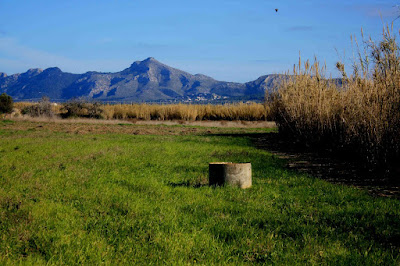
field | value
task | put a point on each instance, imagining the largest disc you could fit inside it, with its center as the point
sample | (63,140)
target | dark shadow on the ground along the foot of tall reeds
(326,165)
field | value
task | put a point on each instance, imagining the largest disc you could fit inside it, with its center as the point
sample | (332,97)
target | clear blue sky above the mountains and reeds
(232,40)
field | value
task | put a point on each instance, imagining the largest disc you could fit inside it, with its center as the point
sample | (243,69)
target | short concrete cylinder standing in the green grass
(235,174)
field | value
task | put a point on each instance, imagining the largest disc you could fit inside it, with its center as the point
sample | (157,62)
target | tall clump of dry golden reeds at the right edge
(361,115)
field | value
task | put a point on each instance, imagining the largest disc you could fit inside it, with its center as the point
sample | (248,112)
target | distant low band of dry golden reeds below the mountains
(186,112)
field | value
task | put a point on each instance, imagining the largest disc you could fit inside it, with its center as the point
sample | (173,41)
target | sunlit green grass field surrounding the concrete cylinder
(71,198)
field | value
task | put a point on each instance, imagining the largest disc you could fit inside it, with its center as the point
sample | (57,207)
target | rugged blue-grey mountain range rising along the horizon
(144,81)
